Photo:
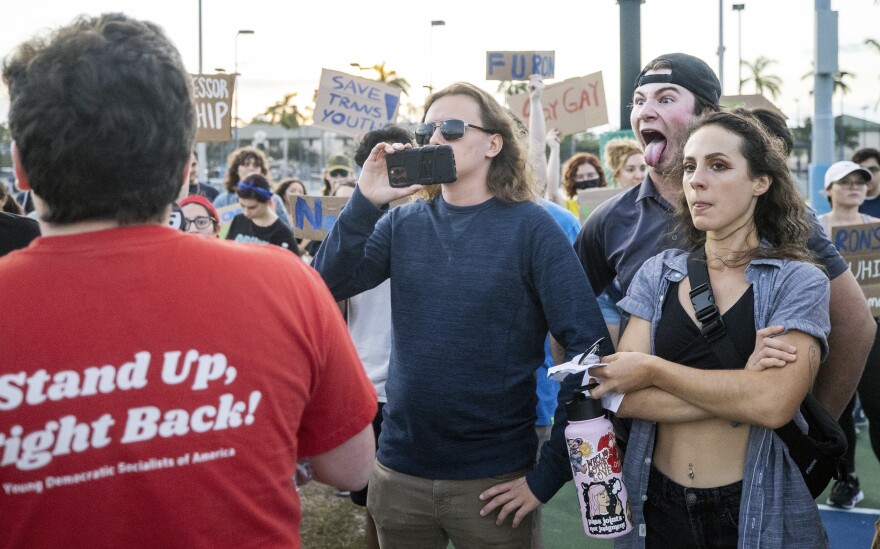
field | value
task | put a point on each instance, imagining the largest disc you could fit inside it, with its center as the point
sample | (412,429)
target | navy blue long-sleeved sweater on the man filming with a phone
(469,315)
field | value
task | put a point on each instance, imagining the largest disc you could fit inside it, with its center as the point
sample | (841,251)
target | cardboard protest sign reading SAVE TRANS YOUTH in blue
(352,105)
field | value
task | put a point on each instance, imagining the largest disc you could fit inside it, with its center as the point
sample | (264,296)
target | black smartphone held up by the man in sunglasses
(426,165)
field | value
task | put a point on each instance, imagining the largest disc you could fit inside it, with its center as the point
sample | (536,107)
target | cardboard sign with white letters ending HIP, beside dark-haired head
(212,94)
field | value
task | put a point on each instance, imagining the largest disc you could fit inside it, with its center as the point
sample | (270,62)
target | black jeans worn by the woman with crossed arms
(677,516)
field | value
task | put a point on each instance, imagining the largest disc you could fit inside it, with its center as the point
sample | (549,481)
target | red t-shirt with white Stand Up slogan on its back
(156,389)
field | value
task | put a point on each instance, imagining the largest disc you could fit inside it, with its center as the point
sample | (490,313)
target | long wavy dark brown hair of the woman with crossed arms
(780,216)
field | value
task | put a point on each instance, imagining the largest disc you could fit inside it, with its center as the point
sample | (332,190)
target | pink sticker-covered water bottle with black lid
(597,469)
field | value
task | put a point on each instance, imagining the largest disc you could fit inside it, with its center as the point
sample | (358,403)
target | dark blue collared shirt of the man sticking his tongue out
(628,229)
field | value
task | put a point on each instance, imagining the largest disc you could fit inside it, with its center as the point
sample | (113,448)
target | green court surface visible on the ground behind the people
(562,527)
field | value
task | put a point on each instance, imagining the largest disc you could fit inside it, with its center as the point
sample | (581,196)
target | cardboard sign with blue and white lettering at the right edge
(860,247)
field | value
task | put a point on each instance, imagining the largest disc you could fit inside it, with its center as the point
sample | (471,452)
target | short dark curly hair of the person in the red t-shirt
(103,116)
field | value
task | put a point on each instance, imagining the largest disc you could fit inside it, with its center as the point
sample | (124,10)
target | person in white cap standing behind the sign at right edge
(846,186)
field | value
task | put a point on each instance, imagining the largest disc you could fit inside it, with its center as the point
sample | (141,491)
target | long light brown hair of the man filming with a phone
(510,177)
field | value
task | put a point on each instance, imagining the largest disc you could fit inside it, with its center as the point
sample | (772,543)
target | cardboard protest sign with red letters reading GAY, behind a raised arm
(570,106)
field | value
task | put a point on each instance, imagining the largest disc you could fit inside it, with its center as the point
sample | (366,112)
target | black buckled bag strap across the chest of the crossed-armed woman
(711,324)
